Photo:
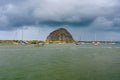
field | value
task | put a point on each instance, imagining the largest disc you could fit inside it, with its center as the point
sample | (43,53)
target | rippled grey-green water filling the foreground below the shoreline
(60,62)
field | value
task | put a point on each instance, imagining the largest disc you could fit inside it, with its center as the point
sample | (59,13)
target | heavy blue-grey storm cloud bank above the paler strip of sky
(79,13)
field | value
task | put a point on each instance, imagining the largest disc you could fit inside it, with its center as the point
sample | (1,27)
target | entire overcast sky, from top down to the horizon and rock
(37,18)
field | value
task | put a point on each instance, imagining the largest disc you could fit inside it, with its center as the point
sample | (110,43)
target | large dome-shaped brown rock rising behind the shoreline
(60,34)
